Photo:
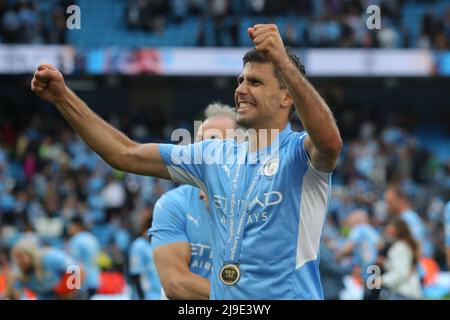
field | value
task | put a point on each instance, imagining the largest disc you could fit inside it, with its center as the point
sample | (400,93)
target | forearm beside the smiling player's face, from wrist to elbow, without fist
(314,113)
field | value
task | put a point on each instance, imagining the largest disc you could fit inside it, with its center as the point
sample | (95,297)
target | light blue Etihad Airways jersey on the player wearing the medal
(285,200)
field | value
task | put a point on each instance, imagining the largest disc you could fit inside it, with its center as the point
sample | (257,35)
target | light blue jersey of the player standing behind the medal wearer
(181,216)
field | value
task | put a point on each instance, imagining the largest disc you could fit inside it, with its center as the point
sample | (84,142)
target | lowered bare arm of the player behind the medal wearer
(172,263)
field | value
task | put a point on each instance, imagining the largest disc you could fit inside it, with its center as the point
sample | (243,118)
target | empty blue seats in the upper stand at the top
(105,24)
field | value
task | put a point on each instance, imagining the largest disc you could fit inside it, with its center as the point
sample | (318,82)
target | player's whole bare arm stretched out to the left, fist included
(113,146)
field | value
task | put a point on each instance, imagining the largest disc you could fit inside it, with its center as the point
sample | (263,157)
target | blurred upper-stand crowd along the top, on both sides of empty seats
(303,23)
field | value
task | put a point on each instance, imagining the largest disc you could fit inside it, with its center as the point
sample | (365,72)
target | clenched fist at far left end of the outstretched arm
(48,83)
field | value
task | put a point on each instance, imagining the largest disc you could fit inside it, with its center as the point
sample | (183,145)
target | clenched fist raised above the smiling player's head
(267,40)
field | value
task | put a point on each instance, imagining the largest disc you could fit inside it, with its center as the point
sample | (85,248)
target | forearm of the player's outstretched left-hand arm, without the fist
(105,140)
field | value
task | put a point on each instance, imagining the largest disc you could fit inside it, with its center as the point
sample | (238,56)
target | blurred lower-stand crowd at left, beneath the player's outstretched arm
(49,178)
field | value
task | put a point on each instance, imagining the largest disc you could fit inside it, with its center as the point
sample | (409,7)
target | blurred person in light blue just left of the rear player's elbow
(144,277)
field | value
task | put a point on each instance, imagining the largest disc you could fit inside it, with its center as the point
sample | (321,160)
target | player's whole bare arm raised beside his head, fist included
(323,142)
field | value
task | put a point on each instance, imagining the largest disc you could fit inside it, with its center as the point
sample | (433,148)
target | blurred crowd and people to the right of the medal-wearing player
(384,179)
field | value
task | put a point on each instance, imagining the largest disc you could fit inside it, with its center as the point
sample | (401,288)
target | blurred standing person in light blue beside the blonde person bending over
(84,247)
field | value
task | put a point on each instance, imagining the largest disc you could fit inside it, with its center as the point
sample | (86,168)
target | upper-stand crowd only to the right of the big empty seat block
(305,23)
